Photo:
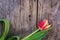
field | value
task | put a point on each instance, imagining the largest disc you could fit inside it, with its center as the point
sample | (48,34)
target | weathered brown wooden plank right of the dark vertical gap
(47,9)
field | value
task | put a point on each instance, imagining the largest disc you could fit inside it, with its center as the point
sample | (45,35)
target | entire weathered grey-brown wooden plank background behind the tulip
(25,15)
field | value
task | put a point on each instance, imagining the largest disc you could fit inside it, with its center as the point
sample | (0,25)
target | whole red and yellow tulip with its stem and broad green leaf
(43,26)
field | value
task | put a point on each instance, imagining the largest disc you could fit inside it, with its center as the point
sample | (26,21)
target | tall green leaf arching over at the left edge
(6,30)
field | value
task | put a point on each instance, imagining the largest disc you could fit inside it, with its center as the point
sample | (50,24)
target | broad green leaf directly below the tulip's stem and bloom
(38,35)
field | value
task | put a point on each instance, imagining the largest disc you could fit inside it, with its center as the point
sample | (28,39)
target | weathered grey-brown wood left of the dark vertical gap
(22,15)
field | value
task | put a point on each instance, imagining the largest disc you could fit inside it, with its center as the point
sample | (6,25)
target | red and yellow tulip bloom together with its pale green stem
(43,25)
